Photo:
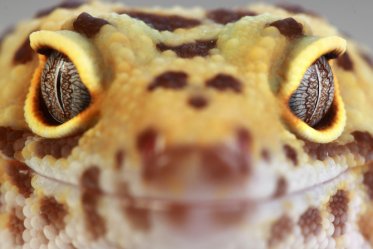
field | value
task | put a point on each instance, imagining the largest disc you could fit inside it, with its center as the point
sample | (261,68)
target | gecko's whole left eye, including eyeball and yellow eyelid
(67,86)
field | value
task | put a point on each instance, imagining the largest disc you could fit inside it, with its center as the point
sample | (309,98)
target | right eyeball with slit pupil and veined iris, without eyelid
(314,96)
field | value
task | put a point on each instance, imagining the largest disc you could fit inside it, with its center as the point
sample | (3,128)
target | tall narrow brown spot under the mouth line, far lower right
(338,205)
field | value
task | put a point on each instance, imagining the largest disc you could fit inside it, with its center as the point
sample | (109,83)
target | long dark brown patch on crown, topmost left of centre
(164,22)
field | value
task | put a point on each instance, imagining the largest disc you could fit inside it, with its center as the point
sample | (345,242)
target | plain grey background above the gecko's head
(352,17)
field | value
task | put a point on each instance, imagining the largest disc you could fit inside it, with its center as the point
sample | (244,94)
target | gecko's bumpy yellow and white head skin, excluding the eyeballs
(131,171)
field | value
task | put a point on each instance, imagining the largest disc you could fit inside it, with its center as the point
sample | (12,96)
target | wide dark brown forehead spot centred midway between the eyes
(190,50)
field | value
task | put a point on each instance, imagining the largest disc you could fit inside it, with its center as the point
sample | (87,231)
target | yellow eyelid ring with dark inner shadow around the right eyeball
(308,52)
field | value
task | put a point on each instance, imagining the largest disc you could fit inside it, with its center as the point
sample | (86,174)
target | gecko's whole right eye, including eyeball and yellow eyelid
(312,103)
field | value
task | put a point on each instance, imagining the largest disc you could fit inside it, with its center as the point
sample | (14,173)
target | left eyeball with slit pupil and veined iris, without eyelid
(64,95)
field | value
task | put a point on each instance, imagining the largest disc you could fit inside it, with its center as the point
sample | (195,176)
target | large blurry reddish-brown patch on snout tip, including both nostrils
(217,163)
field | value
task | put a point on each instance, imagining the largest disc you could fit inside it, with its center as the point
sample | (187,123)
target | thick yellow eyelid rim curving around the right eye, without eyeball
(304,54)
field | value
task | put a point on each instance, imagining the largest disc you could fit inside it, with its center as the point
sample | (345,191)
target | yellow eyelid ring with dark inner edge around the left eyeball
(81,54)
